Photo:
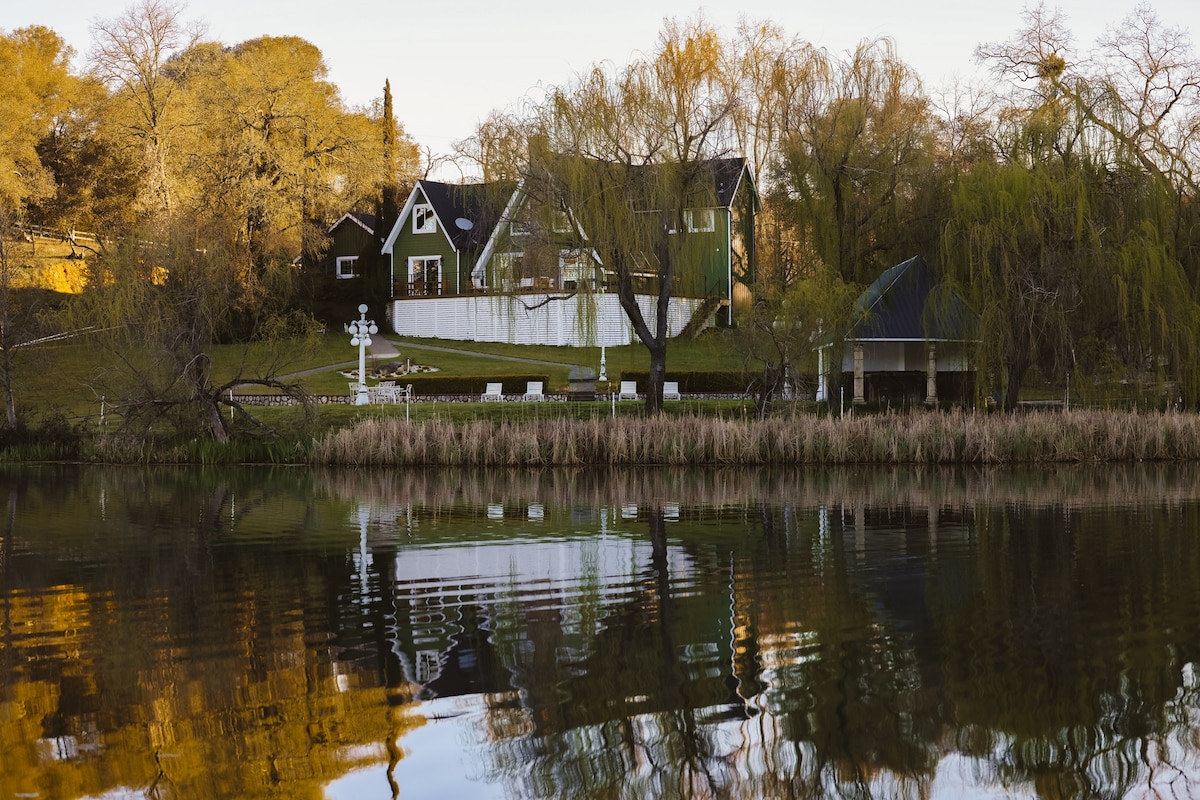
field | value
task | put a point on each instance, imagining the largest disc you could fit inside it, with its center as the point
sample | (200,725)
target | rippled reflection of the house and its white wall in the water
(469,616)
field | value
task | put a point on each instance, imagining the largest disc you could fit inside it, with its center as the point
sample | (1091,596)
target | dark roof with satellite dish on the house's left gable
(467,214)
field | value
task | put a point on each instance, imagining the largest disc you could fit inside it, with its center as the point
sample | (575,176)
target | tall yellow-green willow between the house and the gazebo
(855,161)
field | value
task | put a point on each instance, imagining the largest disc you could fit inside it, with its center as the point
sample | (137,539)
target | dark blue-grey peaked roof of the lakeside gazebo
(907,305)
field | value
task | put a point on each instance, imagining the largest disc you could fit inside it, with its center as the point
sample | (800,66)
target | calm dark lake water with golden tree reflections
(365,634)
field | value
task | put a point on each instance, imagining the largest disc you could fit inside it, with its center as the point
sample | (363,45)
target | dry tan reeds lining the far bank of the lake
(913,438)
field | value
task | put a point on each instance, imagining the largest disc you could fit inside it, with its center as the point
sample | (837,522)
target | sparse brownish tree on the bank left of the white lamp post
(160,306)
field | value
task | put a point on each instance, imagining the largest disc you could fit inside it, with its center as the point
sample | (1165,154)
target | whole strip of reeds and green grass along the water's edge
(913,438)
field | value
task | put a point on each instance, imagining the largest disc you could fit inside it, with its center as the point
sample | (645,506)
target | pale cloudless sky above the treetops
(453,62)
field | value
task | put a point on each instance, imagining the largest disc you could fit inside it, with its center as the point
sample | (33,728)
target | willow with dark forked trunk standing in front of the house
(628,160)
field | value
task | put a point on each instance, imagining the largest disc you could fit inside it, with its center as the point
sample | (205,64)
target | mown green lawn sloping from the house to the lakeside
(64,381)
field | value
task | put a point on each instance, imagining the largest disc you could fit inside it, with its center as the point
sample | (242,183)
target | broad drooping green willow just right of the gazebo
(1071,276)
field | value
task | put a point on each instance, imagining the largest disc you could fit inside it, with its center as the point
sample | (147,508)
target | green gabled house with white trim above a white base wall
(487,262)
